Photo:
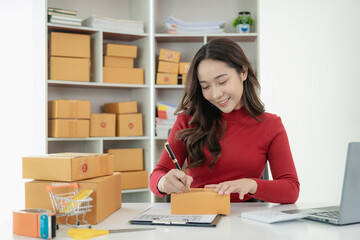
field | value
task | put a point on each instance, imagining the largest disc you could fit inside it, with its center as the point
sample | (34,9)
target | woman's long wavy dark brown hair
(207,124)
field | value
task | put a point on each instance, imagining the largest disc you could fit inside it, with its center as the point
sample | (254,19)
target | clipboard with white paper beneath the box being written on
(160,214)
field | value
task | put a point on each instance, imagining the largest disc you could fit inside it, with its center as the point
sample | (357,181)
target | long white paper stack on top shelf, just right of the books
(113,24)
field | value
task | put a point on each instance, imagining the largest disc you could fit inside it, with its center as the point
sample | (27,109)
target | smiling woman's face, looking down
(221,85)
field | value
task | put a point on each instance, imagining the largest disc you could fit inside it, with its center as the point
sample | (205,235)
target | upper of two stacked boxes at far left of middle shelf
(69,109)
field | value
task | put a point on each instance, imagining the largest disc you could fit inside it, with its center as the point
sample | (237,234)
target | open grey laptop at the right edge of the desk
(349,210)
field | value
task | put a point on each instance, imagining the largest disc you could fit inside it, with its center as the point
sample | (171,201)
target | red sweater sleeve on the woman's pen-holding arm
(165,163)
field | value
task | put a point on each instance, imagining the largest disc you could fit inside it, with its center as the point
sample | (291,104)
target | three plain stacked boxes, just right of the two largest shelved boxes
(119,65)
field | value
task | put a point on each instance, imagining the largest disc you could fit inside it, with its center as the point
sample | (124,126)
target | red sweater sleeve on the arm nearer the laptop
(285,186)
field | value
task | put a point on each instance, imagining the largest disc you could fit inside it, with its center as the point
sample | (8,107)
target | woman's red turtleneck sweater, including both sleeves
(246,147)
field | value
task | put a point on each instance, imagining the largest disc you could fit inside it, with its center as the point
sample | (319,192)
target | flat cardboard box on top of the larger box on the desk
(67,166)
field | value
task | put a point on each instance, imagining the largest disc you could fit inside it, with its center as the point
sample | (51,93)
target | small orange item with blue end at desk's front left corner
(39,223)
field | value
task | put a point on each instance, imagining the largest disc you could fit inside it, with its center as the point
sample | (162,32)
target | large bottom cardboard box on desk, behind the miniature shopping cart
(106,196)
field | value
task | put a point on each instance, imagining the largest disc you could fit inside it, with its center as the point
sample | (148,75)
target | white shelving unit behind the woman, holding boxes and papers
(153,13)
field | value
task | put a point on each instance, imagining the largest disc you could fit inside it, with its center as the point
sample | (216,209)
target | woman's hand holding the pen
(175,181)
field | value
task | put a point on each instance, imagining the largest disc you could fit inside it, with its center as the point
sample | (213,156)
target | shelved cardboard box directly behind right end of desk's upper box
(127,159)
